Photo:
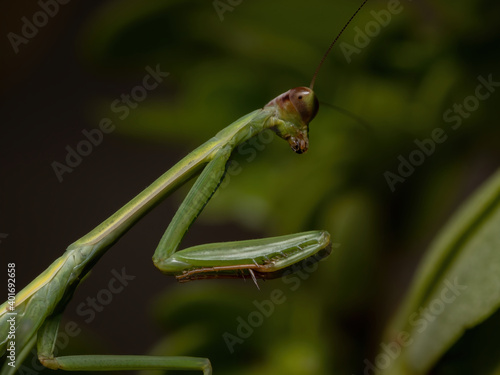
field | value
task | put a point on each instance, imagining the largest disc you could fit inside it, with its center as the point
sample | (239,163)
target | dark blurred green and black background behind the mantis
(221,66)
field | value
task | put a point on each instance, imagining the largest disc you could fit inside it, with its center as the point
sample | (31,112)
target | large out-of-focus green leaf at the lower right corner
(456,287)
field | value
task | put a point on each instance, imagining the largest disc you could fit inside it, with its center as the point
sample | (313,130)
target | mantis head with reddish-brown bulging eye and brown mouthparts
(295,109)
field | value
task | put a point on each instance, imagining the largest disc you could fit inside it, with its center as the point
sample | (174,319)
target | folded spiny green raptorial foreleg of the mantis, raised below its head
(264,258)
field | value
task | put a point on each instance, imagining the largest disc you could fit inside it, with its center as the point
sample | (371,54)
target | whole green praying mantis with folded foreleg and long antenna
(39,306)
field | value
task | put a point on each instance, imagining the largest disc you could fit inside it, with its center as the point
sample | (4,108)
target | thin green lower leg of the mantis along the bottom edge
(46,342)
